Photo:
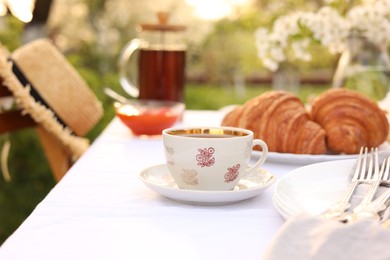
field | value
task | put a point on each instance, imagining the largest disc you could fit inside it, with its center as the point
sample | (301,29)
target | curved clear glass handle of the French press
(124,57)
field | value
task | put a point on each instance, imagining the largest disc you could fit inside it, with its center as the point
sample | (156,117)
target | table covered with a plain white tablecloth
(101,210)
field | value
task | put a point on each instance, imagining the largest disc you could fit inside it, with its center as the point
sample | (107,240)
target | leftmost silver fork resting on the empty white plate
(338,208)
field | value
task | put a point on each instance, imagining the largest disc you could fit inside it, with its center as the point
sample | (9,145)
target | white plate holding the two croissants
(305,159)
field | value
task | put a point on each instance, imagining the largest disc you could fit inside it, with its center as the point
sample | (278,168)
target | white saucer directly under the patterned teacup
(158,179)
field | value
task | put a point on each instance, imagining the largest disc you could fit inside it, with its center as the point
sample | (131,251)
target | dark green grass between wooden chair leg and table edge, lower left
(30,183)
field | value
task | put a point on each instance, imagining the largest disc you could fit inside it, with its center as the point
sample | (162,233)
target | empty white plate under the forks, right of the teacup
(312,188)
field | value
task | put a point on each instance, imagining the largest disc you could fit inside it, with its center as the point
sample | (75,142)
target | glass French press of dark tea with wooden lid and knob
(161,62)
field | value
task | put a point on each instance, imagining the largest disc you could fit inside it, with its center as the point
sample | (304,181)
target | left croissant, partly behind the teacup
(280,119)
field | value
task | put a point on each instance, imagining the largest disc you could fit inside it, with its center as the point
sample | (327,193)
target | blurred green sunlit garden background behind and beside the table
(222,67)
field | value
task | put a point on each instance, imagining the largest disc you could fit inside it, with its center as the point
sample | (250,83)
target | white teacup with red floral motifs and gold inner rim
(210,158)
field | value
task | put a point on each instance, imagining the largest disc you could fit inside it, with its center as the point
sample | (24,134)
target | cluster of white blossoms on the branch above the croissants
(326,26)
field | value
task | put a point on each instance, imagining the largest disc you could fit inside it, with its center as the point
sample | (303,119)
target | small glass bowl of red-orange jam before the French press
(149,117)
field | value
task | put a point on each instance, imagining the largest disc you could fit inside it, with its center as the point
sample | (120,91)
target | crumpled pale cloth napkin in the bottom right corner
(306,237)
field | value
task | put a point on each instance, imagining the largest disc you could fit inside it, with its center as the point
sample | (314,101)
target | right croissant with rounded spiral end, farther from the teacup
(350,119)
